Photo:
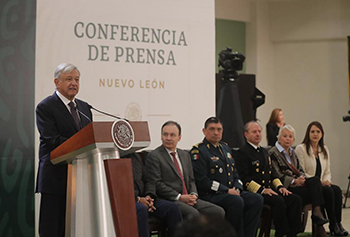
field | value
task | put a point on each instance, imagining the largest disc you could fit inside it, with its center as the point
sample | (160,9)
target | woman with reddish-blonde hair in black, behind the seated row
(272,127)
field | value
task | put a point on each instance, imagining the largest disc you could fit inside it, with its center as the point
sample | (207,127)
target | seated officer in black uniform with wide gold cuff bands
(255,169)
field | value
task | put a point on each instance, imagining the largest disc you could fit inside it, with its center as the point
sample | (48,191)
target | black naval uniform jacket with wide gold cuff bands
(255,169)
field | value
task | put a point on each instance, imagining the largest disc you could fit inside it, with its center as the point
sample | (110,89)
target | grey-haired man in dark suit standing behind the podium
(59,116)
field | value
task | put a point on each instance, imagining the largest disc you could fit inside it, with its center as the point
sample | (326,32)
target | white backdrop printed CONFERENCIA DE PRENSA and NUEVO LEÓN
(175,82)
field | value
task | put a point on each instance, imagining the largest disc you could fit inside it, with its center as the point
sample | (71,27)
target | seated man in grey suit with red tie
(170,169)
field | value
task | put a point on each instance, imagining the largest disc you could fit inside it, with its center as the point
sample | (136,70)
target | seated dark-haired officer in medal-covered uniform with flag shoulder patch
(217,180)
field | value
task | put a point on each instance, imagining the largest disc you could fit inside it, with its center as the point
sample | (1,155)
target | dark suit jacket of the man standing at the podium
(55,124)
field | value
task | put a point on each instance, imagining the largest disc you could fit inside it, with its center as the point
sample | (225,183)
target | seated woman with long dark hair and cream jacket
(315,159)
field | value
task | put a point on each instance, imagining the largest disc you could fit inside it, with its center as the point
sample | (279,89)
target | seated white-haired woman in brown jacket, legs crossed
(289,171)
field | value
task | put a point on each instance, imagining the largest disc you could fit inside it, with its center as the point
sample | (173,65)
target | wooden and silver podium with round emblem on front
(100,188)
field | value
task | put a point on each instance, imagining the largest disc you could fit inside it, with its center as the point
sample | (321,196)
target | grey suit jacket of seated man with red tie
(163,173)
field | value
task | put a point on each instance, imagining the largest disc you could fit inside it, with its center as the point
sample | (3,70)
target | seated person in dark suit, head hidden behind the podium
(147,202)
